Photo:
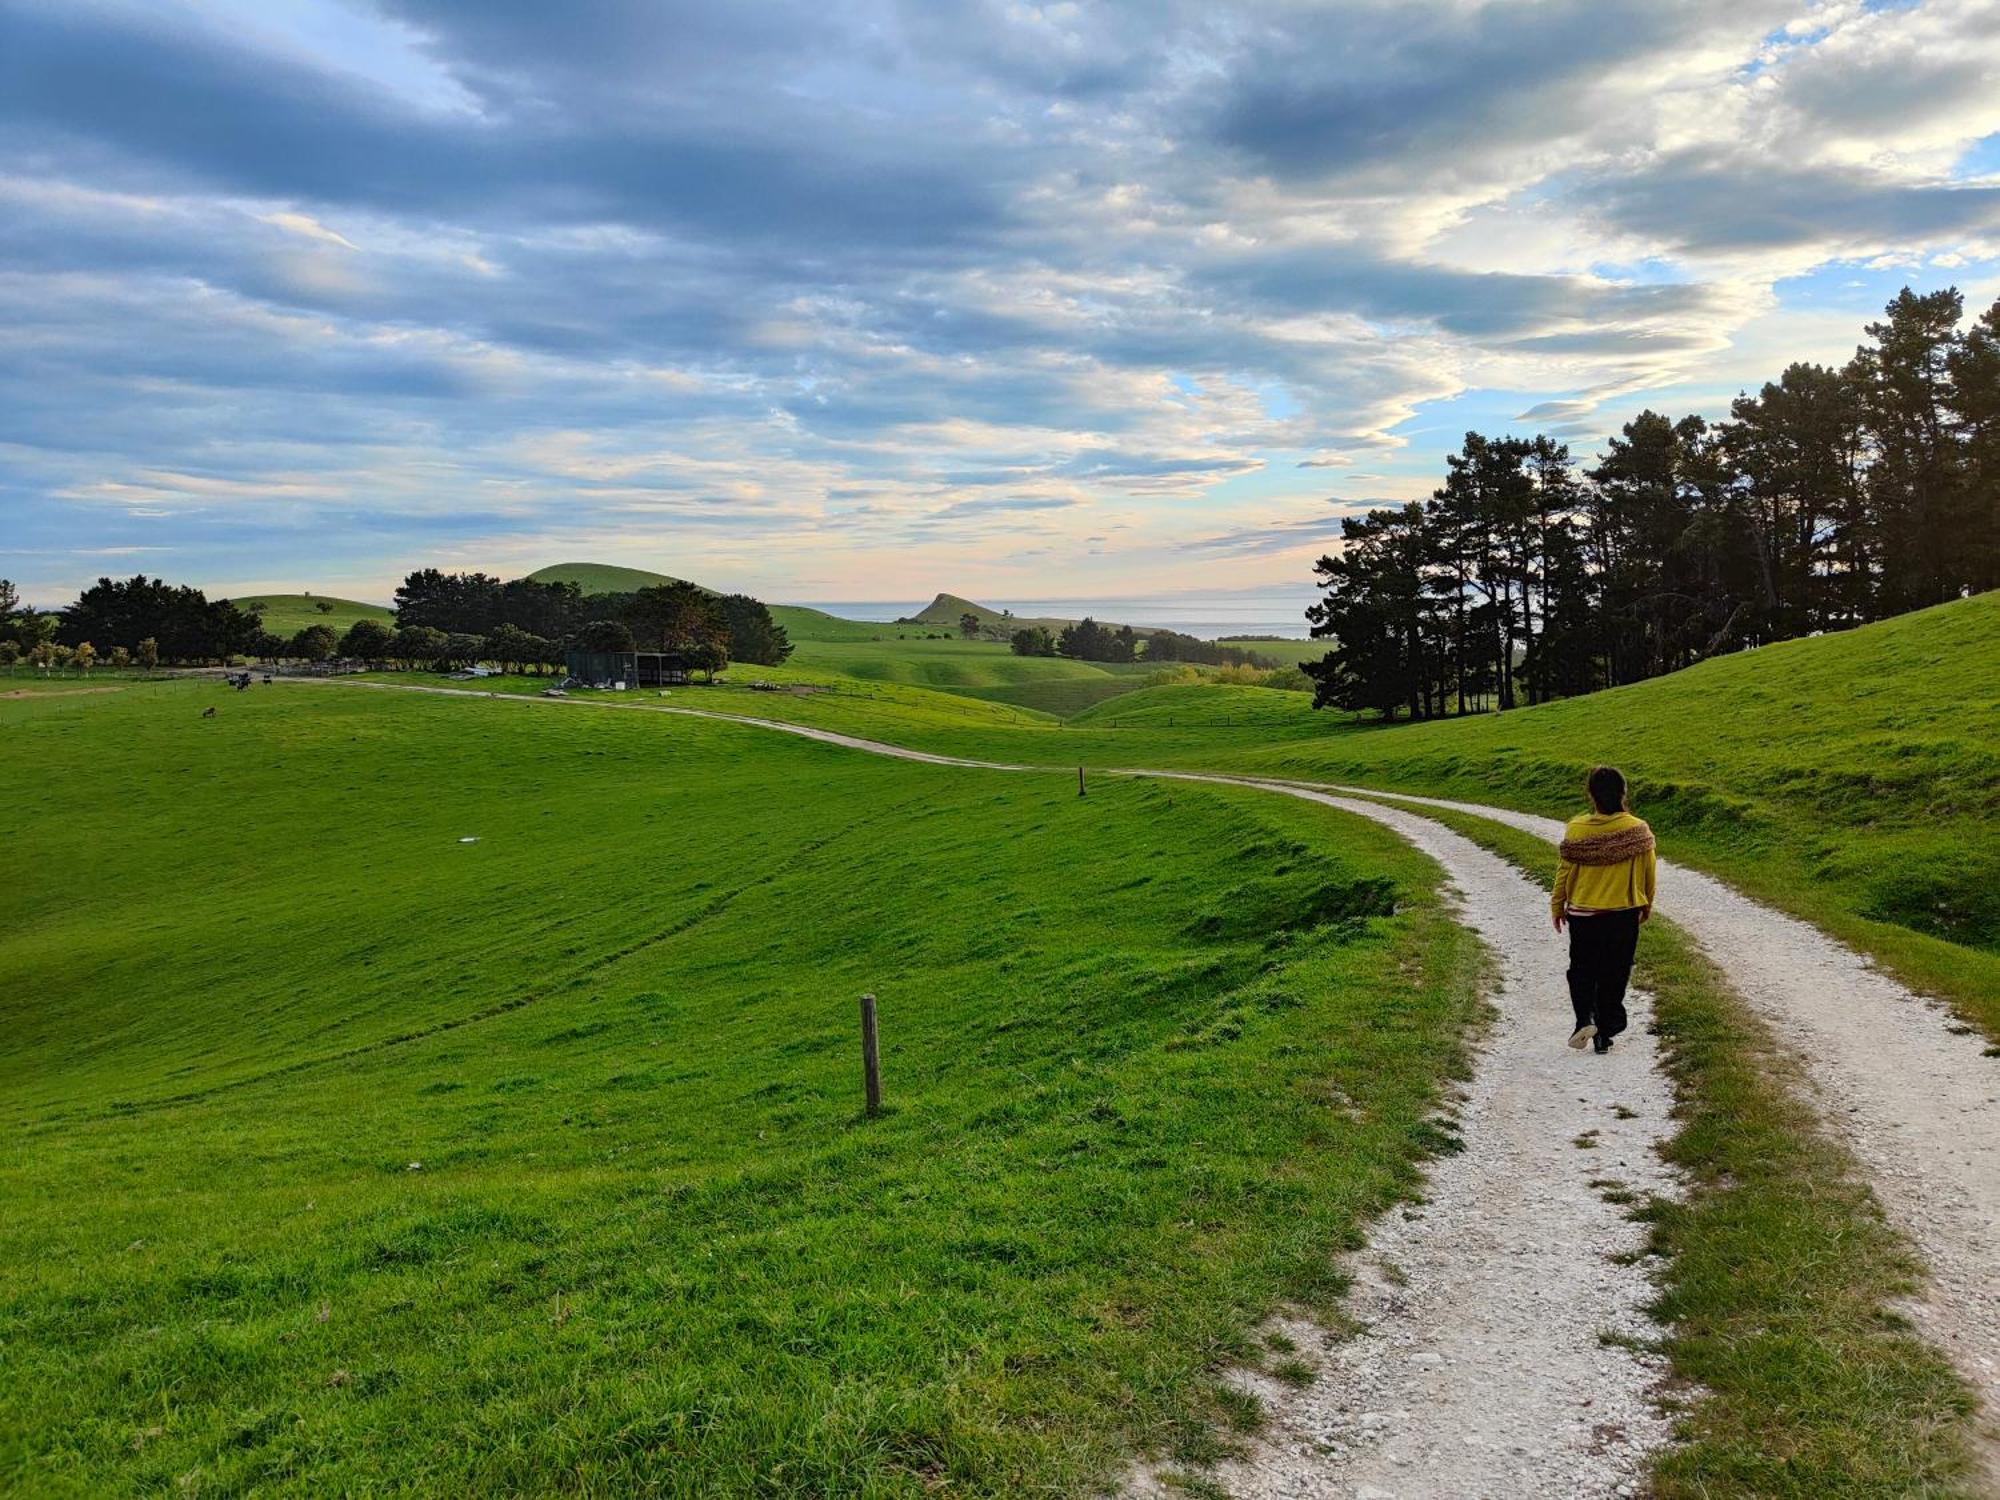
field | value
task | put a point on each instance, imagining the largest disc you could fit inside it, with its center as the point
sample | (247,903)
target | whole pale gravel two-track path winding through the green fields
(1487,1301)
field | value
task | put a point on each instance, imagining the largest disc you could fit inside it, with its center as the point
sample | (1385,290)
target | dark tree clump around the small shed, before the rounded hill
(709,629)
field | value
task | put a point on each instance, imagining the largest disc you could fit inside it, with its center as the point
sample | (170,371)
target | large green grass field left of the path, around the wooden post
(355,1157)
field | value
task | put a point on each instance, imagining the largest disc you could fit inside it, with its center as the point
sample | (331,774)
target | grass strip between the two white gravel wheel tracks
(1781,1273)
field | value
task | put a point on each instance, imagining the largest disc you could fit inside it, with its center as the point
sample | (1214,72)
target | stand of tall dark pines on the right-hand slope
(1827,501)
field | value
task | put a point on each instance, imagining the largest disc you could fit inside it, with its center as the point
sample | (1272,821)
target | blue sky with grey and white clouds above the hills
(865,301)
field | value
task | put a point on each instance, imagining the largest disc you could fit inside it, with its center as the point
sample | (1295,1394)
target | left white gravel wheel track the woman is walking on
(1485,1371)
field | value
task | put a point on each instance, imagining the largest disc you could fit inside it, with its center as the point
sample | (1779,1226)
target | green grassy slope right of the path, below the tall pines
(1853,779)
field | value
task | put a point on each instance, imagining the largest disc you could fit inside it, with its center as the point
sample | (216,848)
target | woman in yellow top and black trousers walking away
(1603,893)
